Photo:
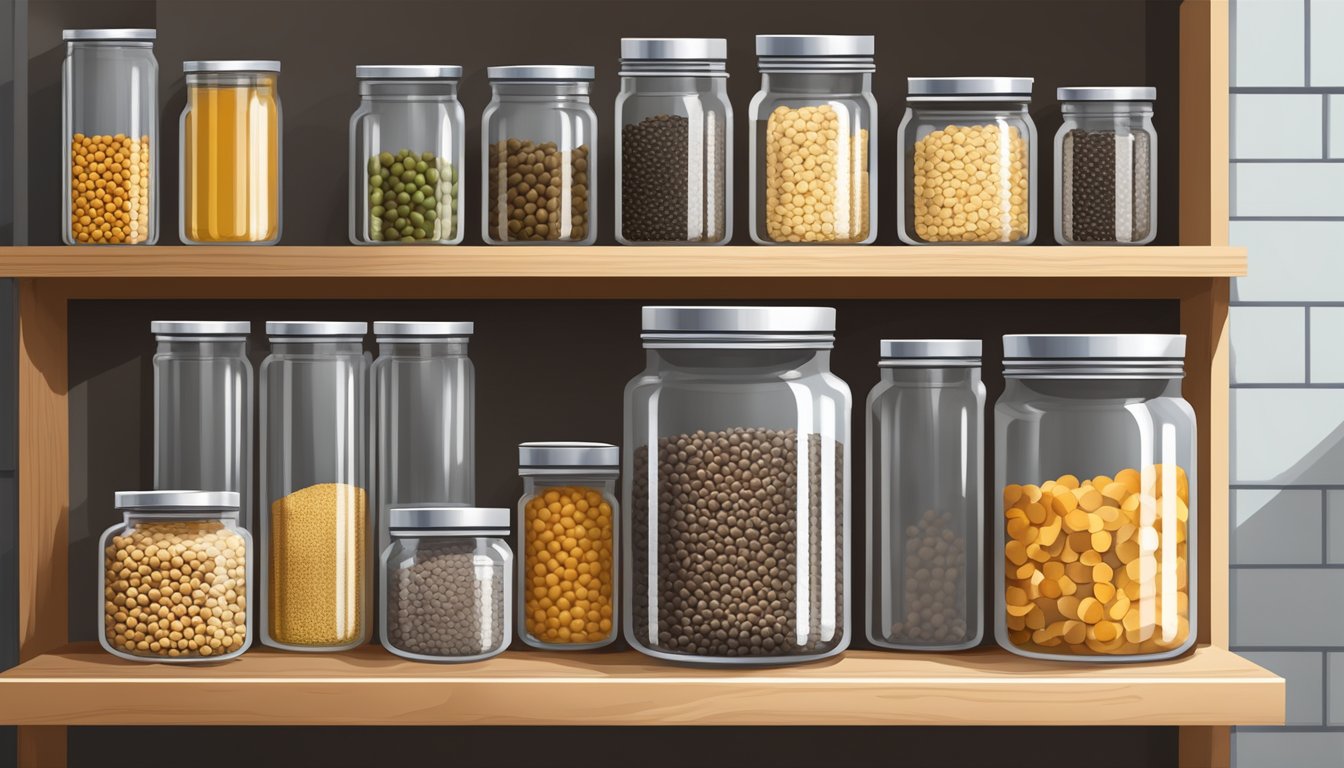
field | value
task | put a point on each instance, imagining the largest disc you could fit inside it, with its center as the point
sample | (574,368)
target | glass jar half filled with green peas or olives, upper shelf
(407,154)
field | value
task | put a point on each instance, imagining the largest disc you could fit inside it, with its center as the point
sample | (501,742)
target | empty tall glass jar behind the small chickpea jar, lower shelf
(204,408)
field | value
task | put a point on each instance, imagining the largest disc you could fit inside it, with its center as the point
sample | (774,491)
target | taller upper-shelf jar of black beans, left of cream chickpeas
(674,143)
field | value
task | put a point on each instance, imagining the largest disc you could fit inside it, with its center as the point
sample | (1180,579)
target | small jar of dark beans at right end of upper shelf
(1107,167)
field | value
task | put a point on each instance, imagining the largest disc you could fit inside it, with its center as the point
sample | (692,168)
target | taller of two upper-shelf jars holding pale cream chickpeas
(822,189)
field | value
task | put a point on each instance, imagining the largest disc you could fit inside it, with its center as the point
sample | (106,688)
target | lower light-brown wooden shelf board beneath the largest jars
(81,685)
